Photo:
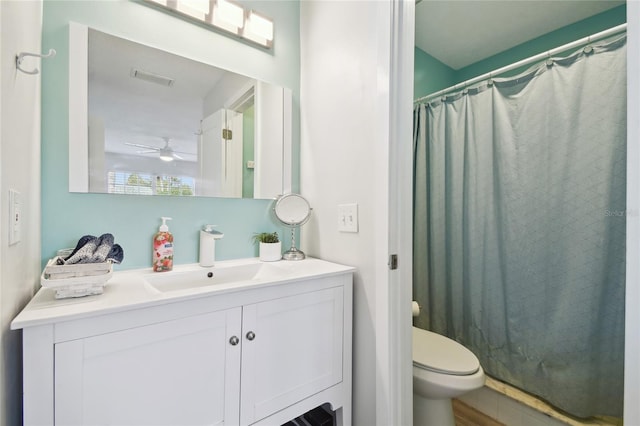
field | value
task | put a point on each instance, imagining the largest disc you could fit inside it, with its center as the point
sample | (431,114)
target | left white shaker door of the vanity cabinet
(179,372)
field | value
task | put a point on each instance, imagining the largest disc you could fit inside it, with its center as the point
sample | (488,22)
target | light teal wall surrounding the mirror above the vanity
(134,219)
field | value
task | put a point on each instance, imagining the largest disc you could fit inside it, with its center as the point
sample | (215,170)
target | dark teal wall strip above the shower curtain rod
(431,75)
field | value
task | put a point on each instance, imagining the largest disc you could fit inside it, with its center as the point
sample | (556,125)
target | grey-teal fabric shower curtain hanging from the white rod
(519,219)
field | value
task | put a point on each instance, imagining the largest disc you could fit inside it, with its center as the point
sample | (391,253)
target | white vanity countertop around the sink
(131,289)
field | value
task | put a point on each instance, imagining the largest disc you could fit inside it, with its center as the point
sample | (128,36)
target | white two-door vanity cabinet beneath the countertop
(261,355)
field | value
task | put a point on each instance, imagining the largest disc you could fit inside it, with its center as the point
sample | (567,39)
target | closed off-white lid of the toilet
(438,353)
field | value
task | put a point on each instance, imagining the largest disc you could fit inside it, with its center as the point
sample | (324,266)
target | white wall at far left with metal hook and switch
(21,24)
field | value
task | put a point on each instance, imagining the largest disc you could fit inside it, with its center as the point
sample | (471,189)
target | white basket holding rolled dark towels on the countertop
(76,280)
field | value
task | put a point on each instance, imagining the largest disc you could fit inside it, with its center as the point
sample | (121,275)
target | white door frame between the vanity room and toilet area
(394,386)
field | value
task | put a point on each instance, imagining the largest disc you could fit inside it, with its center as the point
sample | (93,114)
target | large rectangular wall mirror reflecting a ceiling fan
(149,122)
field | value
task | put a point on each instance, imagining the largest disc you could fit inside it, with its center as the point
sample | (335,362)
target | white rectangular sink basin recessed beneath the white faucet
(174,281)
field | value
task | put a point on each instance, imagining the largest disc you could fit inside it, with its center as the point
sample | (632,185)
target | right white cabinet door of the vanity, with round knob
(291,349)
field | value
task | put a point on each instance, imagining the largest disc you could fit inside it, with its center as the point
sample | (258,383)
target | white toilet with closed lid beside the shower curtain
(442,369)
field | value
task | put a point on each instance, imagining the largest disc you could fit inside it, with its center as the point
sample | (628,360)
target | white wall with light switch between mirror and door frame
(338,165)
